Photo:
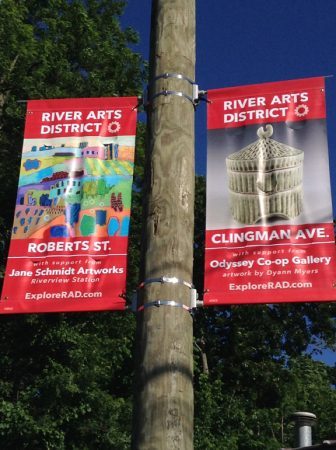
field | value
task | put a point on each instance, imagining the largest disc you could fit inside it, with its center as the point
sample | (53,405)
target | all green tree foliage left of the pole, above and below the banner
(65,379)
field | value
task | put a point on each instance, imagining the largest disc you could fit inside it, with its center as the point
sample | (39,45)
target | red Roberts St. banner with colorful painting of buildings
(69,240)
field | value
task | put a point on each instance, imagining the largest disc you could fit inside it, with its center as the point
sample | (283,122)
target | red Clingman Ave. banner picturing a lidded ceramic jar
(269,233)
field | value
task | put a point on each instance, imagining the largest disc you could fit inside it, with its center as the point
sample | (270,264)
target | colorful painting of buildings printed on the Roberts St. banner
(74,191)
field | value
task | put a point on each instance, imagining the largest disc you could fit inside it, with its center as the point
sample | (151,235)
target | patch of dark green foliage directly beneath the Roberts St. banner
(66,383)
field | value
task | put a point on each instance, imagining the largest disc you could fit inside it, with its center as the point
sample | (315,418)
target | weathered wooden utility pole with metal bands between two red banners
(163,417)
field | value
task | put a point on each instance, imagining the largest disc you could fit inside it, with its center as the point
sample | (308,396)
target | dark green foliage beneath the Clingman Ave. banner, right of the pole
(257,379)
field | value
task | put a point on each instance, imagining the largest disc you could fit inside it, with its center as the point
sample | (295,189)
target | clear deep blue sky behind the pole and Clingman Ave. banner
(245,42)
